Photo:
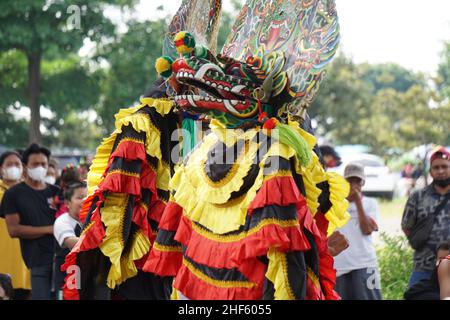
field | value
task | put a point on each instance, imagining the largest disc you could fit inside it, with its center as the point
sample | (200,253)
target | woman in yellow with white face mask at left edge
(11,260)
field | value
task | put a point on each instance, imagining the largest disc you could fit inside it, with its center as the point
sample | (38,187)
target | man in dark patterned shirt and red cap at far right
(426,219)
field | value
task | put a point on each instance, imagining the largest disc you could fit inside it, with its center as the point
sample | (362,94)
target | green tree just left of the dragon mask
(131,68)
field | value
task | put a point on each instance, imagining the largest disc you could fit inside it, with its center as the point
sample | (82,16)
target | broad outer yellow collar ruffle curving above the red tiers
(219,218)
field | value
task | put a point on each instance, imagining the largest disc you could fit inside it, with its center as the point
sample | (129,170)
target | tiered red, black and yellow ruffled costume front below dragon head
(223,242)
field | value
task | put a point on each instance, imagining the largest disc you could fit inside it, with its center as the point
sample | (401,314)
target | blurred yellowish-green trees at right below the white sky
(383,106)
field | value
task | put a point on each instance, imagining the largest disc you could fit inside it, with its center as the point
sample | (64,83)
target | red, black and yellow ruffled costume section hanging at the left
(124,188)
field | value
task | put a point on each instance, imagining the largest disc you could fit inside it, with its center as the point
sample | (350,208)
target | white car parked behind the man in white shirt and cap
(380,181)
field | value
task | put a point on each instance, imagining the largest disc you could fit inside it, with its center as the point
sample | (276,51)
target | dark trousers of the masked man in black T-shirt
(41,282)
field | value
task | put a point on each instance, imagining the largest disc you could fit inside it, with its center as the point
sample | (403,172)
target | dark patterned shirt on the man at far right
(420,205)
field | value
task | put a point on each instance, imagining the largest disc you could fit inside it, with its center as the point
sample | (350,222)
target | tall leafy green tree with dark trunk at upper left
(38,28)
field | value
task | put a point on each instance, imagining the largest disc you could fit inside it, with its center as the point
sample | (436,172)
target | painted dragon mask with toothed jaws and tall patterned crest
(271,65)
